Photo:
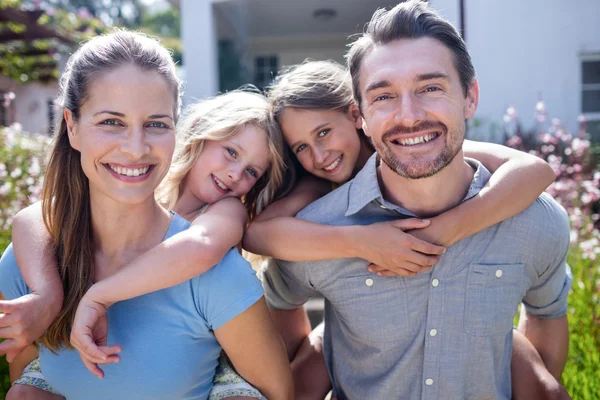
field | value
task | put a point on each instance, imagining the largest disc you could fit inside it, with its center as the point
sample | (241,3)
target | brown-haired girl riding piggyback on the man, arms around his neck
(313,103)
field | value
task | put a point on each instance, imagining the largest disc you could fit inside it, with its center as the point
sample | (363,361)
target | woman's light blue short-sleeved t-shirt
(169,348)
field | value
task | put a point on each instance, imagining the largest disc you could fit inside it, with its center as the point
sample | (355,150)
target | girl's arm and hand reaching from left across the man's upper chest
(277,233)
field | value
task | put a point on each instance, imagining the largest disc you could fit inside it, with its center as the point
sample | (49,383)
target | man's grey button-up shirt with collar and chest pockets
(443,334)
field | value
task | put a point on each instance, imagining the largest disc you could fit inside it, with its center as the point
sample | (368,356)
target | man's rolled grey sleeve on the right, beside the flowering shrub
(547,298)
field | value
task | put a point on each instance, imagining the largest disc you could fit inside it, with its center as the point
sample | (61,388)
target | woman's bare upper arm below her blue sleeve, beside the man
(257,351)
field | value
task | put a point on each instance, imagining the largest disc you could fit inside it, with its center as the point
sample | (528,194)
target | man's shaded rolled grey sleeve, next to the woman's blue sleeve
(286,284)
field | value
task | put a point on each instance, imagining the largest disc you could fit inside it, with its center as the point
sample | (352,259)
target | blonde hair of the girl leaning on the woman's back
(220,118)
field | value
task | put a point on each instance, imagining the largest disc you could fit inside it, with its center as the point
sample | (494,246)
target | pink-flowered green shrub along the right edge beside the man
(577,189)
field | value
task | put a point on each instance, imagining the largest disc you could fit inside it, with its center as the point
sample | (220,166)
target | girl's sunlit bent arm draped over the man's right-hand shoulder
(518,179)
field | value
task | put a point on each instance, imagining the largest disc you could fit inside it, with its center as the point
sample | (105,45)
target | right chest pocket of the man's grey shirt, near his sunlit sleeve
(494,292)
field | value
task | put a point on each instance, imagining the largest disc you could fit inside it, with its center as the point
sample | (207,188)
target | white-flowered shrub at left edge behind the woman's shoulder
(20,174)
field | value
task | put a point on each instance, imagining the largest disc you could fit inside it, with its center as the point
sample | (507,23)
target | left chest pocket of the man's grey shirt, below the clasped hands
(373,308)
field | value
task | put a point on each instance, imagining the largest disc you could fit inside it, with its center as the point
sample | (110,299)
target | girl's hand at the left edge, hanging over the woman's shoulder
(25,319)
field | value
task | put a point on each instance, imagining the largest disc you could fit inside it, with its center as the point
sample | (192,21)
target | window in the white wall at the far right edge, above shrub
(590,95)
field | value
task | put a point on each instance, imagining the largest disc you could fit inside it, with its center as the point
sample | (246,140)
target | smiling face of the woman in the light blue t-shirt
(125,134)
